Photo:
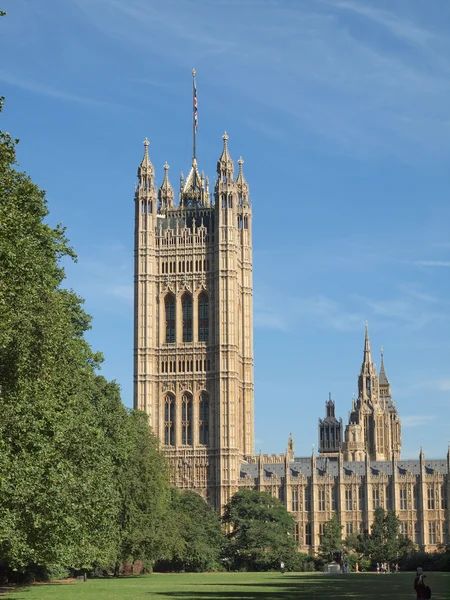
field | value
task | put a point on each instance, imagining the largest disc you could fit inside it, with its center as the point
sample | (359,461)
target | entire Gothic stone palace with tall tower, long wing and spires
(193,375)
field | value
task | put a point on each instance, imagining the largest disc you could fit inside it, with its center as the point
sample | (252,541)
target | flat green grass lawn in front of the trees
(243,586)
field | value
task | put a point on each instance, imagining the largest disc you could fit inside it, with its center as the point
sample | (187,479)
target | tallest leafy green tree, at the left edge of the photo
(58,496)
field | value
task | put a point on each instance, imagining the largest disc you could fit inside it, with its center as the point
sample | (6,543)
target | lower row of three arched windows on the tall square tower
(187,421)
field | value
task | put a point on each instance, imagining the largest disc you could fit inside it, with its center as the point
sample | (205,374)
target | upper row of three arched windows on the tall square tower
(186,318)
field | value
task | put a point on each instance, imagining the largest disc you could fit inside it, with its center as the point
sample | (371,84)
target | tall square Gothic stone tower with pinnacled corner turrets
(193,331)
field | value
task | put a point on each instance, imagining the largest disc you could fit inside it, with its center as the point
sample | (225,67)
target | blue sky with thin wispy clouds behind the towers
(340,110)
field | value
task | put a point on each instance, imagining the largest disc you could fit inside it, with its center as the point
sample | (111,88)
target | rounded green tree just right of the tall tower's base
(261,531)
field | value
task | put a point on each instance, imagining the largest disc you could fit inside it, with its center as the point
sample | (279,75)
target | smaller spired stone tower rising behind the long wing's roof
(374,425)
